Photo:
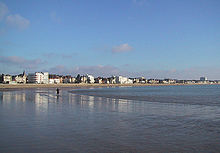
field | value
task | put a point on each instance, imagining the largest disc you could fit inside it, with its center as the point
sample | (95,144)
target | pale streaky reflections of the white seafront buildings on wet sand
(42,98)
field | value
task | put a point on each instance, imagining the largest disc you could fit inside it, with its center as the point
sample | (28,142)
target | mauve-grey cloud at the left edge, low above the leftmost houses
(20,62)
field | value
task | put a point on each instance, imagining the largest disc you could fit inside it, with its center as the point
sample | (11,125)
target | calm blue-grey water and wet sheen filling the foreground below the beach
(120,119)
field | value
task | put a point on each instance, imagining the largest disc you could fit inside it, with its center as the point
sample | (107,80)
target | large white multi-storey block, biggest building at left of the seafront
(38,77)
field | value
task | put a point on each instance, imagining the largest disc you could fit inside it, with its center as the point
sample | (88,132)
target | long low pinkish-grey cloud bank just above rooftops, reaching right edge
(107,70)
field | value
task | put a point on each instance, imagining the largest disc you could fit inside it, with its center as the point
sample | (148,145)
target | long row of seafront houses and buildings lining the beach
(46,78)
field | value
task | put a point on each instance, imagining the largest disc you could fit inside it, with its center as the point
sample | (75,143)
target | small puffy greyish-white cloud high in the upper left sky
(17,21)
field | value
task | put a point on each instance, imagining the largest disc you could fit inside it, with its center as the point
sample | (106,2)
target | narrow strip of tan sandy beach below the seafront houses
(24,86)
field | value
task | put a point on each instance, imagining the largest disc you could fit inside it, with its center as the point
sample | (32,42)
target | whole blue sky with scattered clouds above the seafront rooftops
(150,38)
